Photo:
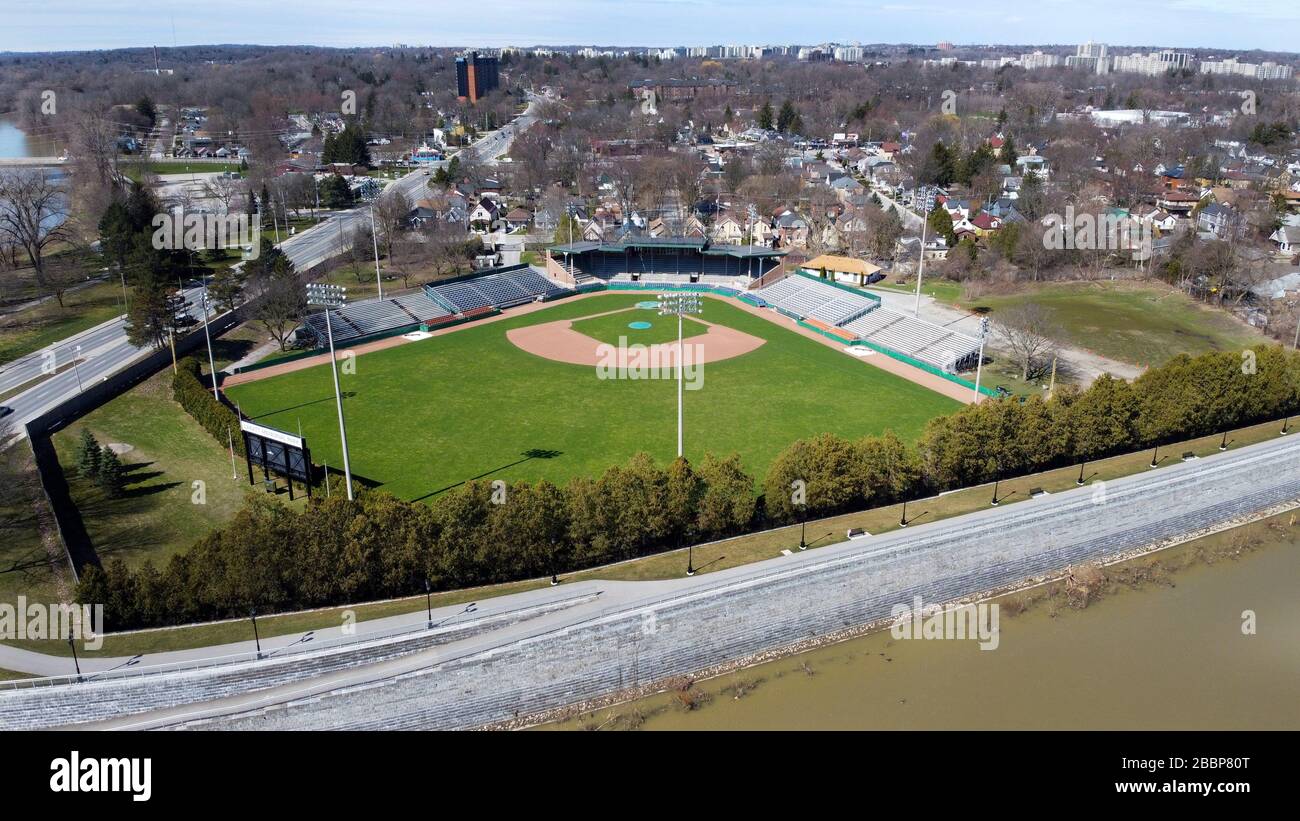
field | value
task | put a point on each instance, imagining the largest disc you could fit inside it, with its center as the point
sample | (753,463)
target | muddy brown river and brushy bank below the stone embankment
(1061,641)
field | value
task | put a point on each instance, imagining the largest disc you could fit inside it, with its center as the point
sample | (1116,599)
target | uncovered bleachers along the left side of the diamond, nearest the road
(497,289)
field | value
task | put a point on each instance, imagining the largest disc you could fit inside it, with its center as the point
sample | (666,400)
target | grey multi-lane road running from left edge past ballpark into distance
(103,350)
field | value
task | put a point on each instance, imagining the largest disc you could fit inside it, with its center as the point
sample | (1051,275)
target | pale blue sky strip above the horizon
(1228,25)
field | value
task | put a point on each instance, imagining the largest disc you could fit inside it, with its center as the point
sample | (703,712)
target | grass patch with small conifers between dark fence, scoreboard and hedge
(158,515)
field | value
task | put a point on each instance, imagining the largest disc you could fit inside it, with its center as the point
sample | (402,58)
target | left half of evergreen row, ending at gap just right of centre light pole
(335,550)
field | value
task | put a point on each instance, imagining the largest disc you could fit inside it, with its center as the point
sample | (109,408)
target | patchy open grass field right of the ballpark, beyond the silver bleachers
(1142,324)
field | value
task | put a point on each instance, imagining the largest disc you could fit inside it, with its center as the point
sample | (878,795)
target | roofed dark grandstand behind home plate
(671,260)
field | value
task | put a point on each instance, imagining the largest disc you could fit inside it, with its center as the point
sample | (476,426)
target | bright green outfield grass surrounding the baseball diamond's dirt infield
(427,416)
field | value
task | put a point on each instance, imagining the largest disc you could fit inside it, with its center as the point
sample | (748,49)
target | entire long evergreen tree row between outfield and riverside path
(339,551)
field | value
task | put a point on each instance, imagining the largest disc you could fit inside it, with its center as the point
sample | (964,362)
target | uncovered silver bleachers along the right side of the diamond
(808,298)
